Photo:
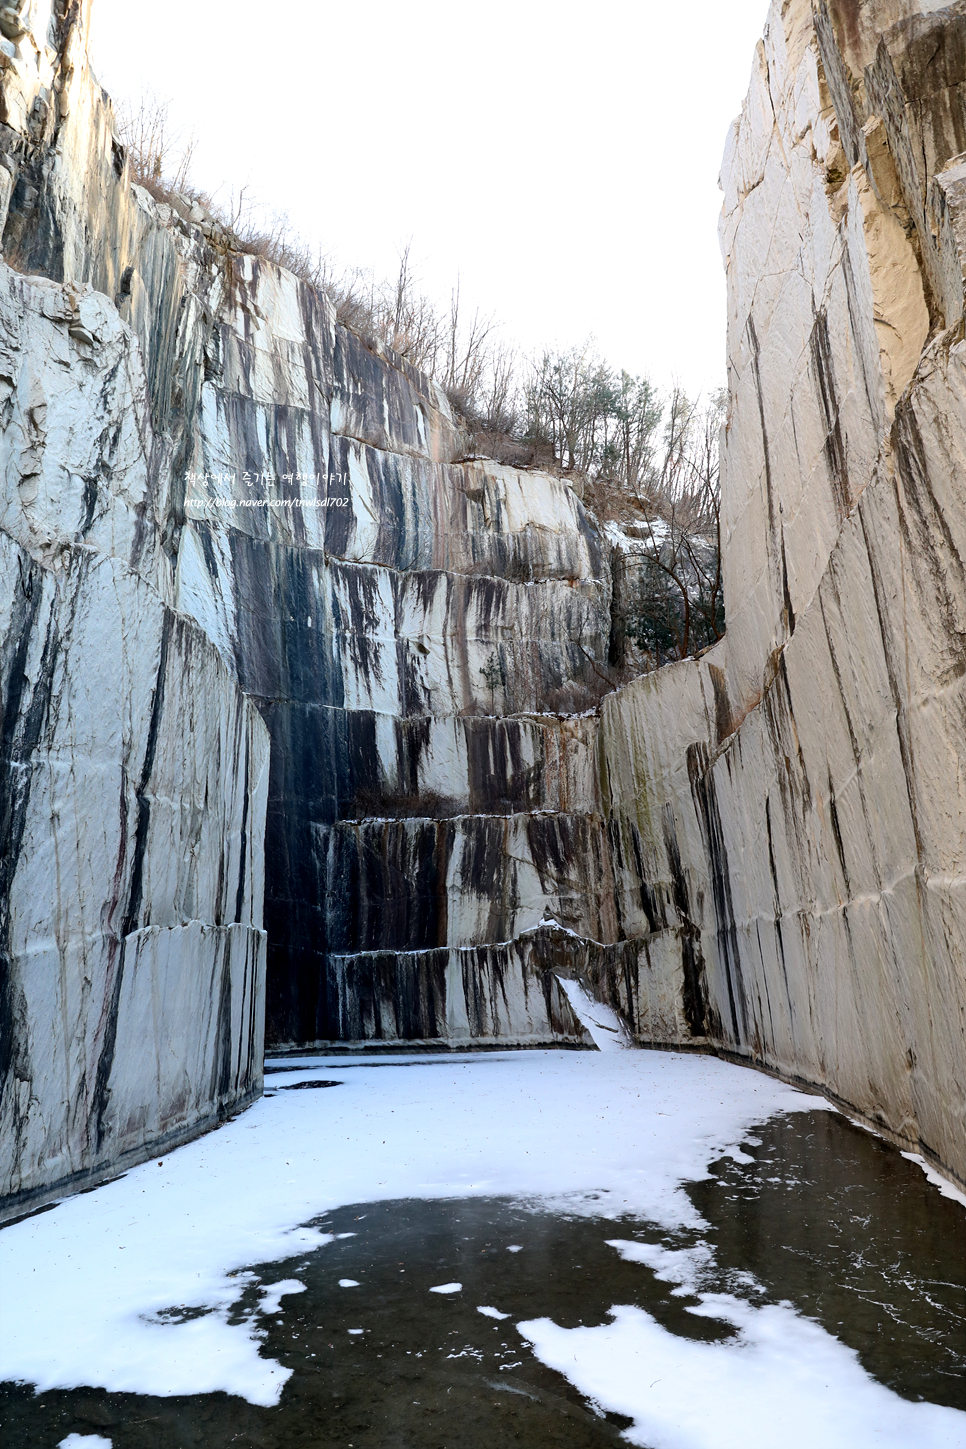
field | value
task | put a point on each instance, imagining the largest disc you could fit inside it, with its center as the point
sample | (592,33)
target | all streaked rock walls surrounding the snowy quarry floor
(274,635)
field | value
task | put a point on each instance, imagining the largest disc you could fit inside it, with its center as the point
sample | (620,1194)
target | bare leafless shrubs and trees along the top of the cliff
(647,466)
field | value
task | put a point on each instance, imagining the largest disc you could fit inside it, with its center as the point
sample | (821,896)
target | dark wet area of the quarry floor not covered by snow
(402,1332)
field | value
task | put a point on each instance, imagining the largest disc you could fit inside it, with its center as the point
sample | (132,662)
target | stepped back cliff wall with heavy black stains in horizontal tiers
(412,624)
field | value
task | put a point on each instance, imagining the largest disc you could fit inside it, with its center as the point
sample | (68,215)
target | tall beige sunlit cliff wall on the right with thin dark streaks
(794,803)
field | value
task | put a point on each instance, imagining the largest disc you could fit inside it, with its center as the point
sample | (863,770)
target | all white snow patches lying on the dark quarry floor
(98,1279)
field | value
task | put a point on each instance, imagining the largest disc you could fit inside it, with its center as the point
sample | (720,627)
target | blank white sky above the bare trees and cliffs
(561,159)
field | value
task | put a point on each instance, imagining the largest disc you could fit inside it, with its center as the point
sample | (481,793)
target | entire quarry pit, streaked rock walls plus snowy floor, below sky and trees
(328,822)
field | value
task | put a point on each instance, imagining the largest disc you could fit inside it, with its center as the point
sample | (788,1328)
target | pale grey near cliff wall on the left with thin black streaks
(134,773)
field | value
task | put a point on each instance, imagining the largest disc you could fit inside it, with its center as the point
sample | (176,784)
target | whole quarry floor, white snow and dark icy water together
(710,1260)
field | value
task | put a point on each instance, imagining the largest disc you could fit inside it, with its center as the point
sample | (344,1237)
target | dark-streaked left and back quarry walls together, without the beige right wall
(237,534)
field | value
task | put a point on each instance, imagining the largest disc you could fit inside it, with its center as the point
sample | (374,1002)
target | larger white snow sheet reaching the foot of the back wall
(102,1285)
